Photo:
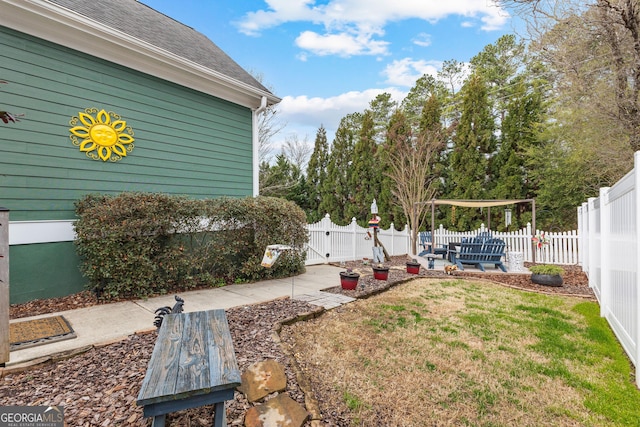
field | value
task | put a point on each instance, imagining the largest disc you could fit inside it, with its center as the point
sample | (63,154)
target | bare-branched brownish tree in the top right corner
(593,48)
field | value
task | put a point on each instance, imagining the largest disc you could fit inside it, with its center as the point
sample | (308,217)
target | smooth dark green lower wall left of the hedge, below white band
(44,270)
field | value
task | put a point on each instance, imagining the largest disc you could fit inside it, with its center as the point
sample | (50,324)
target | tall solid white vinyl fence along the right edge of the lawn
(611,255)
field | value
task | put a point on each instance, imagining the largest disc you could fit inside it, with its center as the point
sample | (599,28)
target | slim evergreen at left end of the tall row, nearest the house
(317,174)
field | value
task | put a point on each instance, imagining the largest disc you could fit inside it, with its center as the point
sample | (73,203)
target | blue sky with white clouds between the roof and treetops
(329,58)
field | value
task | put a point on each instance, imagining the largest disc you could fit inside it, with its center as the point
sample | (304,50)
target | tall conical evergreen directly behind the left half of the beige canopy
(474,142)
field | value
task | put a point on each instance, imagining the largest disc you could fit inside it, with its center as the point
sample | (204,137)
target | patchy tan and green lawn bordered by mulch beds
(434,352)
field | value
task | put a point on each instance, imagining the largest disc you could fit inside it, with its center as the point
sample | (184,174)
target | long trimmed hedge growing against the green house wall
(140,244)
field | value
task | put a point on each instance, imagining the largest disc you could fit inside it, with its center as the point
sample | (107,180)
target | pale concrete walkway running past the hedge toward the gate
(106,323)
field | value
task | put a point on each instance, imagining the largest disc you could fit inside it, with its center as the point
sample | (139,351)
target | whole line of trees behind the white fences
(551,118)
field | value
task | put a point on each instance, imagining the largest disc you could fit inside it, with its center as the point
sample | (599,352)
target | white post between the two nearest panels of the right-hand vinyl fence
(605,252)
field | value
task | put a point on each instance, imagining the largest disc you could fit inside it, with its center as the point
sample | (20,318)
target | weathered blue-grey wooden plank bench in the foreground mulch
(193,364)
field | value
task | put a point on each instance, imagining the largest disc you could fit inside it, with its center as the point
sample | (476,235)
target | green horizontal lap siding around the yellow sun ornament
(186,142)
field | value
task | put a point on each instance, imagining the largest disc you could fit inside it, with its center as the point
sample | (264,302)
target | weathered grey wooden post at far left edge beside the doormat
(4,286)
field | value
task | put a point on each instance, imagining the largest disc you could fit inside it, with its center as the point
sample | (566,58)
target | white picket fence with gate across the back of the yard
(329,242)
